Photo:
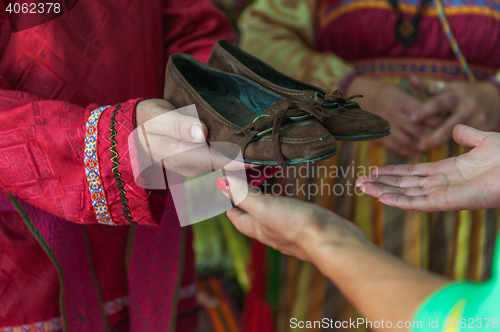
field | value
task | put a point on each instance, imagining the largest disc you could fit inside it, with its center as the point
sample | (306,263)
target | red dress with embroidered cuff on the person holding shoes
(58,152)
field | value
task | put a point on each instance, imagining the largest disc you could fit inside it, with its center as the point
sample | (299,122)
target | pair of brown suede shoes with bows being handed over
(270,118)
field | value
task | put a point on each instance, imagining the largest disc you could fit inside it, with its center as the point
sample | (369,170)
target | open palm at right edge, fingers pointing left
(468,182)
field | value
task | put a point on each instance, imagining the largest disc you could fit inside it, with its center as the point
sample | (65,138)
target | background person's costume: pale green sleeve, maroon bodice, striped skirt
(321,41)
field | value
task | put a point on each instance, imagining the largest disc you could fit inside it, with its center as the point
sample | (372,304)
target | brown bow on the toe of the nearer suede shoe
(279,113)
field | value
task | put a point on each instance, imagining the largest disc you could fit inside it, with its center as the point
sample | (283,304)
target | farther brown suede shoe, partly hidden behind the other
(347,121)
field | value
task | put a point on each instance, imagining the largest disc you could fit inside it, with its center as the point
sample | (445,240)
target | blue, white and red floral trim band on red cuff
(97,194)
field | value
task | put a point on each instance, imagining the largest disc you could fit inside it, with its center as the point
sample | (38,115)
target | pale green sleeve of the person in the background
(281,33)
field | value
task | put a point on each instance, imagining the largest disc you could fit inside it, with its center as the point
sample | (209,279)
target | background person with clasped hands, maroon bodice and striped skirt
(419,82)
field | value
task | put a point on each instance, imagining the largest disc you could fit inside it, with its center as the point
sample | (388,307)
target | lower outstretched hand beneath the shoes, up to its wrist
(286,224)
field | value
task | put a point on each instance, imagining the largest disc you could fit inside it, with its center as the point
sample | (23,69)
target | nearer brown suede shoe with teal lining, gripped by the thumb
(267,128)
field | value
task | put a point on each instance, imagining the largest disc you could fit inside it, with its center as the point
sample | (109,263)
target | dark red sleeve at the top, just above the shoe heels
(193,27)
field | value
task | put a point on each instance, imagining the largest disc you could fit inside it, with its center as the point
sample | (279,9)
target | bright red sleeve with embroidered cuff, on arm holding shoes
(46,159)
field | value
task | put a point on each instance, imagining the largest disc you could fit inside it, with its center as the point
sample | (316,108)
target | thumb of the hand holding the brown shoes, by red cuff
(178,126)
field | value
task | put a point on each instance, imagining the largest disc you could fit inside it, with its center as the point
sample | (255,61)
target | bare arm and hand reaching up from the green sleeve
(372,280)
